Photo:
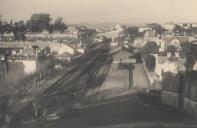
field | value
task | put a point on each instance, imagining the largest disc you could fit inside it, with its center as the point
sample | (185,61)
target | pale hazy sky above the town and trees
(103,11)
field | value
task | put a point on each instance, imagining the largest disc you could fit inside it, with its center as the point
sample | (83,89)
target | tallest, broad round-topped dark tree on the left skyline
(39,22)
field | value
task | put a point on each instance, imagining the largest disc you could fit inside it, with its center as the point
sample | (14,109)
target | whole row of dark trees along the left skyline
(37,23)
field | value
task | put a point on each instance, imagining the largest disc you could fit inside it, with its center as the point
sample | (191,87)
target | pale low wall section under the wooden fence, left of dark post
(169,98)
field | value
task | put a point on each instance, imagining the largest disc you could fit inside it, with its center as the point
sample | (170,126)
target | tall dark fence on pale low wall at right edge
(180,91)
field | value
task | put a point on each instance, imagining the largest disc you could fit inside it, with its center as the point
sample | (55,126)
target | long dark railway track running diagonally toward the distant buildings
(79,67)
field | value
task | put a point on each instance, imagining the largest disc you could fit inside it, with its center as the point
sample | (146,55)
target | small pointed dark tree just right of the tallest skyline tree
(59,25)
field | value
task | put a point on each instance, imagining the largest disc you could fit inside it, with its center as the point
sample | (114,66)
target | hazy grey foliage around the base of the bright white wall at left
(20,84)
